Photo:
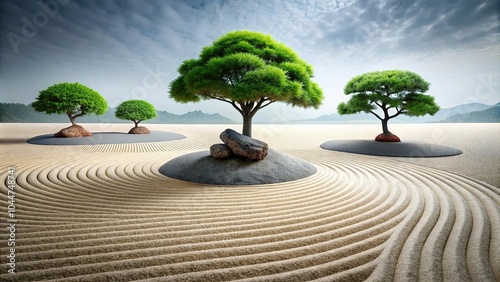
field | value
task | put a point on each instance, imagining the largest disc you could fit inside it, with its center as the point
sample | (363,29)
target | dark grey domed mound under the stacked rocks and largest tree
(201,167)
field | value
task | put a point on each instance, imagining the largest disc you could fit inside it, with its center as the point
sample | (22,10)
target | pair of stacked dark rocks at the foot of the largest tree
(238,145)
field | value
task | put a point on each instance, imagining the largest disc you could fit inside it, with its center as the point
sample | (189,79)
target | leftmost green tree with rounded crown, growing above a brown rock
(72,99)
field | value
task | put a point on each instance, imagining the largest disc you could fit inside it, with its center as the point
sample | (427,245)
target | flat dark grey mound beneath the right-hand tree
(390,149)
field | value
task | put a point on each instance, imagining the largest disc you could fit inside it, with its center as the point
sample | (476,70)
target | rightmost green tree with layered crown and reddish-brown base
(394,92)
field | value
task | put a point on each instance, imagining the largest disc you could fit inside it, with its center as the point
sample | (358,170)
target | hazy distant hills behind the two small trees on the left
(14,112)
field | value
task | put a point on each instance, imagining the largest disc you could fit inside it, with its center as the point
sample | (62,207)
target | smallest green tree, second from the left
(135,110)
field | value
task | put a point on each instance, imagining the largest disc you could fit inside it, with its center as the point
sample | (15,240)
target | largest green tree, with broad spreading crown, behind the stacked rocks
(250,71)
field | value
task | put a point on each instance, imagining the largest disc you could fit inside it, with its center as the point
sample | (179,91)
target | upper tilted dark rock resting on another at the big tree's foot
(244,146)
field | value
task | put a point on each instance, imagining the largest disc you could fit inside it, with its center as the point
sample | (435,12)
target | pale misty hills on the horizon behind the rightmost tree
(473,112)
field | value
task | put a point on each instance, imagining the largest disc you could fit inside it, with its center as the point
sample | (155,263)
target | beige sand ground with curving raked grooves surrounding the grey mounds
(105,213)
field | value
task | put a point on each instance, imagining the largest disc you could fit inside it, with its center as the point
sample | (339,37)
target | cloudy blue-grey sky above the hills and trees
(127,49)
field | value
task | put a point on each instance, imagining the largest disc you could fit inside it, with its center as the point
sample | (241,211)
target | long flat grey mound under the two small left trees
(106,138)
